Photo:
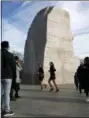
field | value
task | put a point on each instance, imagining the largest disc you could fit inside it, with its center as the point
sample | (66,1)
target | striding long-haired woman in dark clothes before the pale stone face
(52,77)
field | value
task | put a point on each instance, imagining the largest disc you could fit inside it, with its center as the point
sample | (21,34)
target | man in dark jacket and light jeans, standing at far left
(8,71)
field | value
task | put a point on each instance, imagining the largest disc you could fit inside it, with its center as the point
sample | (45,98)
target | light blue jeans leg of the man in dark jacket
(7,94)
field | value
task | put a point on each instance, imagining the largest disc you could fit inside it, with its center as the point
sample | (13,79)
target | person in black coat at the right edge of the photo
(83,75)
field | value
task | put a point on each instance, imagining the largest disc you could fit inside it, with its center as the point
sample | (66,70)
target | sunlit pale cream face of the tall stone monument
(59,47)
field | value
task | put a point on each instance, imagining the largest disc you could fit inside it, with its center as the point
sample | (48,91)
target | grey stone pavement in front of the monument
(35,103)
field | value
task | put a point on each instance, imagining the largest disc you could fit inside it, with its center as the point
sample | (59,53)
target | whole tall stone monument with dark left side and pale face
(50,39)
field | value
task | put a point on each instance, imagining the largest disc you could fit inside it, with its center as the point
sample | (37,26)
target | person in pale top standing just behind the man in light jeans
(18,79)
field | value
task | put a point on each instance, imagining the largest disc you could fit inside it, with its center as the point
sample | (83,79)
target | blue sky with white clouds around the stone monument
(18,16)
